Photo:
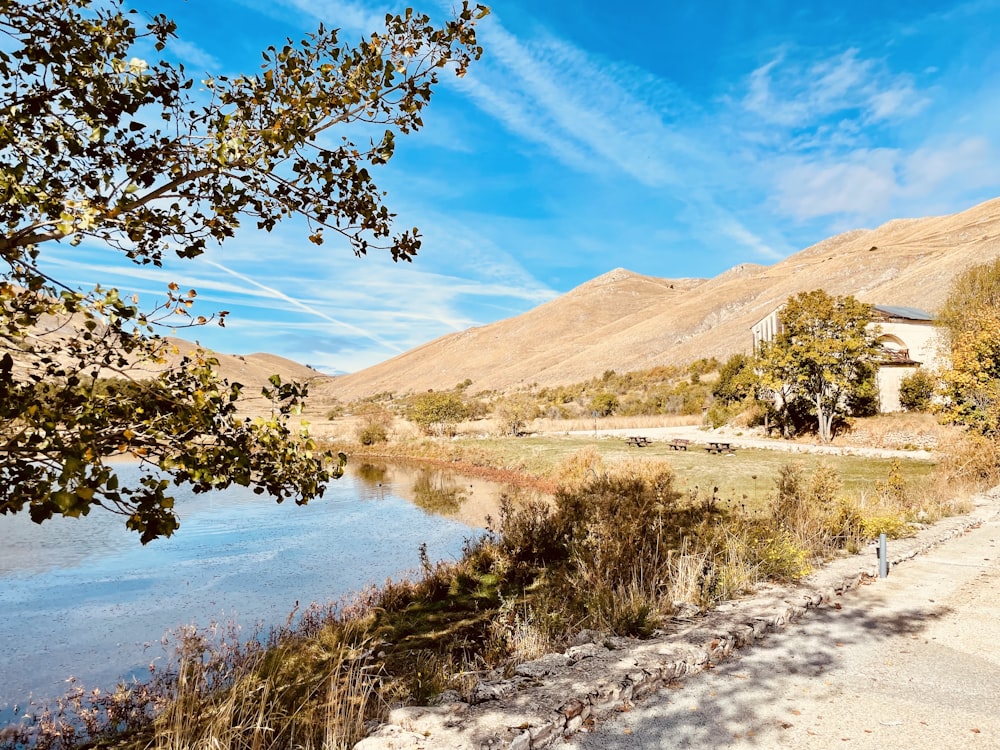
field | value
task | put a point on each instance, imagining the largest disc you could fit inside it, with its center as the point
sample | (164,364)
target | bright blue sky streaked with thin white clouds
(673,139)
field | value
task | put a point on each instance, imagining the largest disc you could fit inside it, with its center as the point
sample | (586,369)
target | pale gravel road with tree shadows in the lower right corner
(911,661)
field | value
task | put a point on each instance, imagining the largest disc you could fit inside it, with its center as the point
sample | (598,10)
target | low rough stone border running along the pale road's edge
(554,696)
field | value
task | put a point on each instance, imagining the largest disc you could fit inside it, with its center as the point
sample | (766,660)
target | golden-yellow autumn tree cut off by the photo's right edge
(971,321)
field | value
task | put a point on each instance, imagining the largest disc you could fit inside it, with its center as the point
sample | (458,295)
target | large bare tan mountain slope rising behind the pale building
(624,321)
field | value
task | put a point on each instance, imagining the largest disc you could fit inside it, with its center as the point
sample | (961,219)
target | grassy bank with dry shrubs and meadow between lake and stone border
(624,543)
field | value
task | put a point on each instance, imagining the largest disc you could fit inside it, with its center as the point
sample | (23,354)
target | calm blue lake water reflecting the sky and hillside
(82,597)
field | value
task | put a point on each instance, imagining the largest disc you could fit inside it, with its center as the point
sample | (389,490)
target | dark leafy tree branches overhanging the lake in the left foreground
(103,147)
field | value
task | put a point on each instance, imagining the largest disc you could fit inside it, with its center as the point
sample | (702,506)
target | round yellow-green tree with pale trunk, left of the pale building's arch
(822,355)
